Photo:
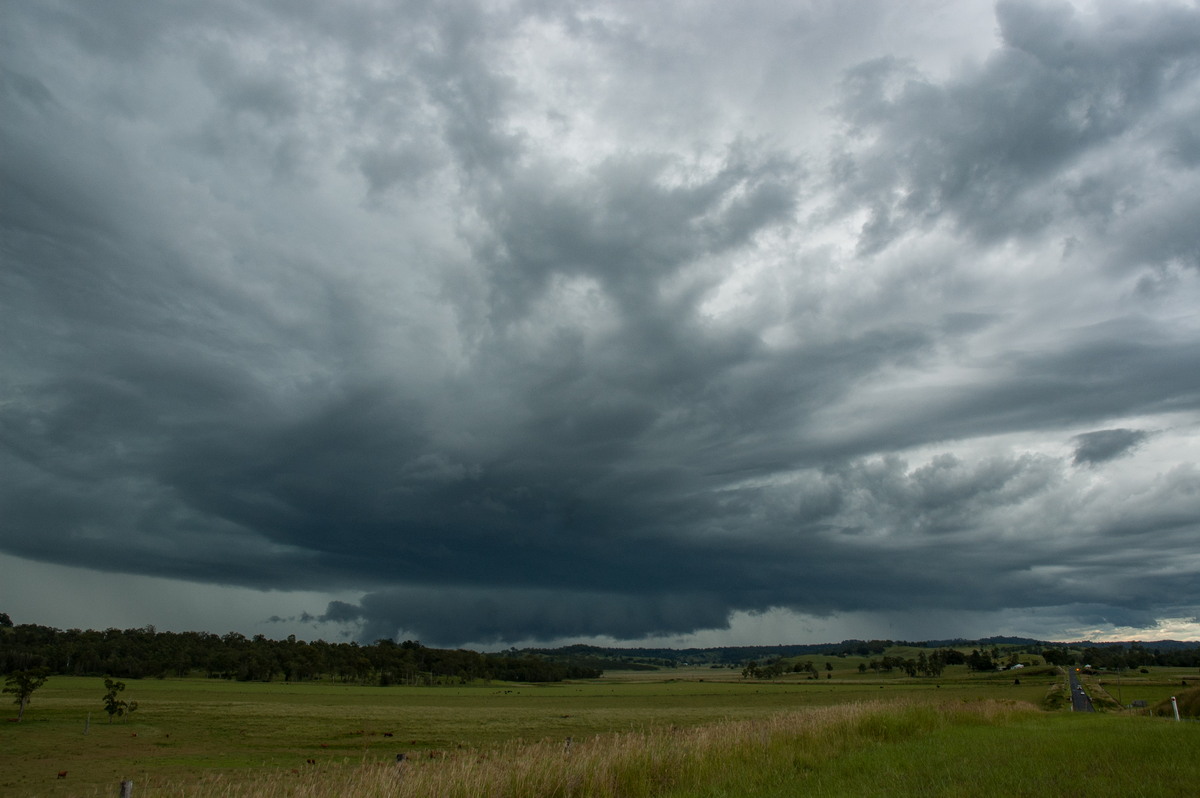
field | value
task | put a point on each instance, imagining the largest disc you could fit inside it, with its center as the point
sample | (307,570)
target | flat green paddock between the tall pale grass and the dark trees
(193,733)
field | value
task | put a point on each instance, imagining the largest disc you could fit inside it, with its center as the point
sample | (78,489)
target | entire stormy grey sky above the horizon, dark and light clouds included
(521,322)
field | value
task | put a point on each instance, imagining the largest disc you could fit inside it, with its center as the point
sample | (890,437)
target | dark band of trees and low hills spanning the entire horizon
(147,652)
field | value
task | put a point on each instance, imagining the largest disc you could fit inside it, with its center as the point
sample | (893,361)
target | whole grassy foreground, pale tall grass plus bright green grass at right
(985,748)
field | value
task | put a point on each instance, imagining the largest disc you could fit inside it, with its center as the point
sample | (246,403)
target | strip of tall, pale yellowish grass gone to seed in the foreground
(751,758)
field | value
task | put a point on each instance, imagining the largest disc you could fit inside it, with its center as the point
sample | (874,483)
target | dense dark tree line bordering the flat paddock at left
(148,653)
